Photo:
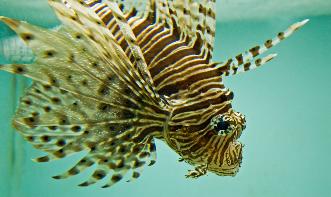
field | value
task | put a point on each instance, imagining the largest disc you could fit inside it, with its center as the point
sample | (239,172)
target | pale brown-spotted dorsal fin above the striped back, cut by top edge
(196,19)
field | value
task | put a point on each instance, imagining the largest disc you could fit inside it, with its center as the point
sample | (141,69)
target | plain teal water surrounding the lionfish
(288,137)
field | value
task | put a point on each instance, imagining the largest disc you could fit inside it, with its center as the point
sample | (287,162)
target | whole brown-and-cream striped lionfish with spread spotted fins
(118,74)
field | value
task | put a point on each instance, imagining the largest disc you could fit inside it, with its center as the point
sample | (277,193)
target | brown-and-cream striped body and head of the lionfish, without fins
(189,82)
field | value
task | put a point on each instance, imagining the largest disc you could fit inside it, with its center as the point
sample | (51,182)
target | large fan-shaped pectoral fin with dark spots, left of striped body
(86,95)
